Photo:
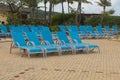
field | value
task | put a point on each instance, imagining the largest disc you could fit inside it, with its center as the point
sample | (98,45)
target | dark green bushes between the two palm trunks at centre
(63,19)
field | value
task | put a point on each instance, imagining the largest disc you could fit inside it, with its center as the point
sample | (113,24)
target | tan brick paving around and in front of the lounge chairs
(82,66)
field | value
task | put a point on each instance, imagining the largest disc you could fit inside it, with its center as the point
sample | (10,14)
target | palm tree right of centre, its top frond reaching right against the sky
(79,10)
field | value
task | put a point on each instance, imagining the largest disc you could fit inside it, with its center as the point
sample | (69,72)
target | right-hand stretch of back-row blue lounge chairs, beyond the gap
(85,31)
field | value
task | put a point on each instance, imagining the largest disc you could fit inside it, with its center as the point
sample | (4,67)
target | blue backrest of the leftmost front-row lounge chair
(18,38)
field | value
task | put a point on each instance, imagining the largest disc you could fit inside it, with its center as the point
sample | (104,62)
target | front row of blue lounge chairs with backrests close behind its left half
(32,42)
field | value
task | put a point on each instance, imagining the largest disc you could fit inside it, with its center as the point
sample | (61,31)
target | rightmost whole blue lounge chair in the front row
(76,39)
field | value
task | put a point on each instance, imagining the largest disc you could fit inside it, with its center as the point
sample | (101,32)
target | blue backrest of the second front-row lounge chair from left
(33,38)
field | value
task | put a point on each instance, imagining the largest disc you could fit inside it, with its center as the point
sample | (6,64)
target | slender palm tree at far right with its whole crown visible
(104,4)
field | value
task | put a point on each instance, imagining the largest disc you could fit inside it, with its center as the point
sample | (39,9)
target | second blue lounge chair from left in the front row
(34,40)
